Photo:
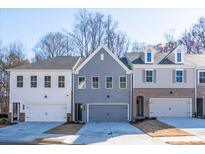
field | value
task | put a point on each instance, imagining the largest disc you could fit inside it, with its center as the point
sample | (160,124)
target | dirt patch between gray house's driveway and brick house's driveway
(155,128)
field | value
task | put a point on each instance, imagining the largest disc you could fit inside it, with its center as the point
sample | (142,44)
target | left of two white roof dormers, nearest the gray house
(149,55)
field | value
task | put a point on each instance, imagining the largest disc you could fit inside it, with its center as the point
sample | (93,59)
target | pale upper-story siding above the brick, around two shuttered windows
(164,79)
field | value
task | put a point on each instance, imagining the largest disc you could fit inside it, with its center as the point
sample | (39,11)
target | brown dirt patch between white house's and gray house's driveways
(67,129)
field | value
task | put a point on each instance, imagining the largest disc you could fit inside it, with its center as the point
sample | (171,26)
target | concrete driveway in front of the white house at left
(26,132)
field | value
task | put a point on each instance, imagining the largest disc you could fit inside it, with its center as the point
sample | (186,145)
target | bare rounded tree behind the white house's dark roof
(53,44)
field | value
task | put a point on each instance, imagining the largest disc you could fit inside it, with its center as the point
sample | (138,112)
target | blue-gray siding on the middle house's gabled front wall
(96,67)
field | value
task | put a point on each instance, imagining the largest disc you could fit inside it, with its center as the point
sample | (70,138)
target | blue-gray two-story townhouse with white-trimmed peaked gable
(102,88)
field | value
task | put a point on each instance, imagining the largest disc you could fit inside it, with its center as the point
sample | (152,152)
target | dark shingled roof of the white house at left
(61,62)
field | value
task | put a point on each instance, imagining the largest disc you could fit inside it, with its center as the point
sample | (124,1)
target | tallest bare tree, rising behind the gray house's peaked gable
(90,30)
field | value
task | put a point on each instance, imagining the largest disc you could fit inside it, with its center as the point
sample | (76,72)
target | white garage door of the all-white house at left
(46,113)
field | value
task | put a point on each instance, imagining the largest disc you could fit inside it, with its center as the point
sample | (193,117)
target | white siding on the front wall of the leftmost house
(28,95)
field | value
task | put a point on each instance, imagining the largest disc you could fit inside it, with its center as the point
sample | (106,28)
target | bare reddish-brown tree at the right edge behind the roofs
(194,39)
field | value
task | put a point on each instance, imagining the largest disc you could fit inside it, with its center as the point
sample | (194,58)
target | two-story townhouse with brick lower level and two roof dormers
(163,84)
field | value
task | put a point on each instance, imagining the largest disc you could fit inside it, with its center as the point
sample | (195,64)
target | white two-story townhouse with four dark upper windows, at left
(42,91)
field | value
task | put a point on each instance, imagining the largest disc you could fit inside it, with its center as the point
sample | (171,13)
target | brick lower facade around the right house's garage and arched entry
(148,93)
